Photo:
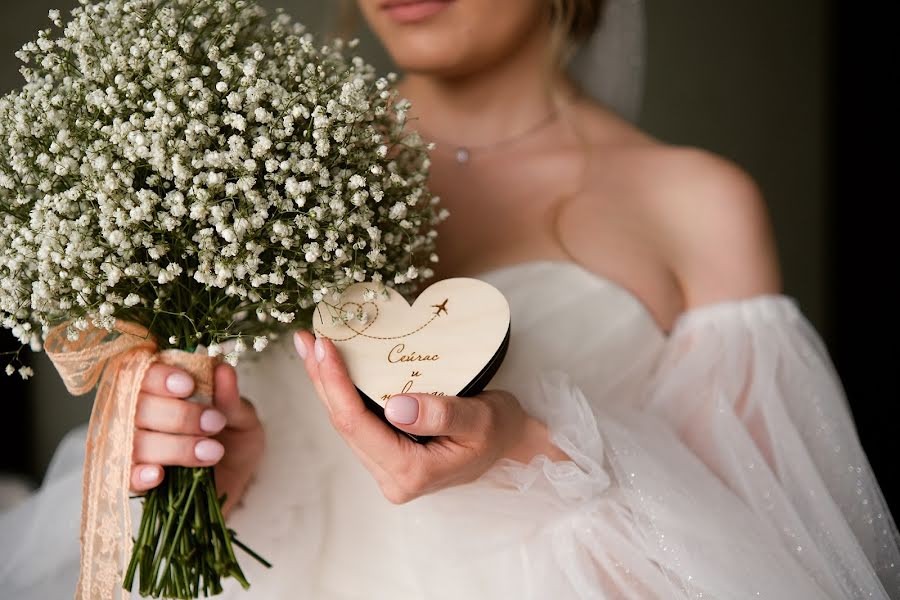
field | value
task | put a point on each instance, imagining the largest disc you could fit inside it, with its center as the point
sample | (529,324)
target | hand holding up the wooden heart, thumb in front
(471,434)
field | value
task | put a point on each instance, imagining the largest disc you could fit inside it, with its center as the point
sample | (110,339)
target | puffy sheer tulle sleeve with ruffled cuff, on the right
(734,471)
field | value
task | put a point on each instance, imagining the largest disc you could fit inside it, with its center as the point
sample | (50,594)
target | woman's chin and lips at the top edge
(453,37)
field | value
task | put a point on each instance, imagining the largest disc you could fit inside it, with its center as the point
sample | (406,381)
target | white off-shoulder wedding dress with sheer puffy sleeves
(716,461)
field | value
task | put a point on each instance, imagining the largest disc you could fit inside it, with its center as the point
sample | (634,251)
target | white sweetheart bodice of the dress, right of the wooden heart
(565,318)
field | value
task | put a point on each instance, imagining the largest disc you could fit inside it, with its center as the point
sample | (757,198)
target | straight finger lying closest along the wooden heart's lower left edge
(351,418)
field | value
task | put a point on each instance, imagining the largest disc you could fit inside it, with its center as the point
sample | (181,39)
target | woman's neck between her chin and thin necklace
(503,99)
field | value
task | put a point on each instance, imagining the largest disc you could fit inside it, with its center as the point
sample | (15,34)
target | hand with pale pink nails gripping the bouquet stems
(171,430)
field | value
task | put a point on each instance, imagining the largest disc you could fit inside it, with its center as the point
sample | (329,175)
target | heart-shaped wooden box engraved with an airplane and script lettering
(450,342)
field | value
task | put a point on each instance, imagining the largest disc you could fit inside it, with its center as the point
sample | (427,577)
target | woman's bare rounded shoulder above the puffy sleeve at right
(712,223)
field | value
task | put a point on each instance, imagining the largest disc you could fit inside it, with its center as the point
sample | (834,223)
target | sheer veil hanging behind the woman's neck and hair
(610,65)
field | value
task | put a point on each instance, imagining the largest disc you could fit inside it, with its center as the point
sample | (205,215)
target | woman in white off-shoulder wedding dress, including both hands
(666,424)
